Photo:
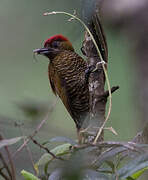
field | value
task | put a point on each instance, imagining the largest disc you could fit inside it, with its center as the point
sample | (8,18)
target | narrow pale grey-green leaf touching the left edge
(7,142)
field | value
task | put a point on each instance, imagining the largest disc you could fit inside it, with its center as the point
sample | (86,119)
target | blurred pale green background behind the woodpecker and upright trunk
(24,80)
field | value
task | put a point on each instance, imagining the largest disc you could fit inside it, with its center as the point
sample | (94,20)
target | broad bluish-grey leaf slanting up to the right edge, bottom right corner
(133,166)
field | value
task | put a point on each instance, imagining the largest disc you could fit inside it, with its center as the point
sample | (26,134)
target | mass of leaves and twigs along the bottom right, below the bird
(117,160)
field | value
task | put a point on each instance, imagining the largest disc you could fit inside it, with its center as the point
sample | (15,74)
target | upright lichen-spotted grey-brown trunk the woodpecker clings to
(97,58)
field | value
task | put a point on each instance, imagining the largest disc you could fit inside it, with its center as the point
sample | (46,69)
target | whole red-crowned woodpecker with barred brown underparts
(66,72)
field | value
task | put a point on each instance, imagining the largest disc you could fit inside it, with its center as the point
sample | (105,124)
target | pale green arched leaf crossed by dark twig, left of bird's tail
(58,151)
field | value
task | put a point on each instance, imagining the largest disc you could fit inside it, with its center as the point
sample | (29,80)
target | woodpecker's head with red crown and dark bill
(54,45)
